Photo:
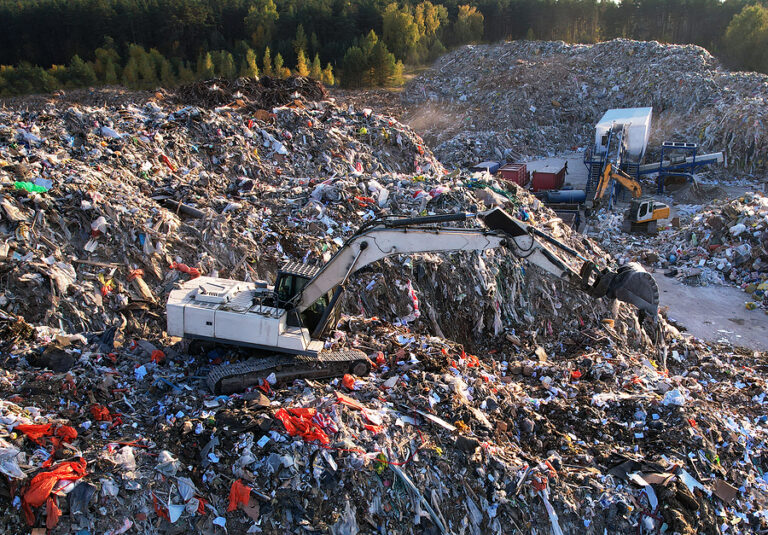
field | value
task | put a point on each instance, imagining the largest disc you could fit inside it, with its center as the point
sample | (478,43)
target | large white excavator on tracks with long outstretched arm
(287,320)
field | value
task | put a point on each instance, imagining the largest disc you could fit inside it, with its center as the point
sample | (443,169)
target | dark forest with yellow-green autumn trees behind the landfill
(46,44)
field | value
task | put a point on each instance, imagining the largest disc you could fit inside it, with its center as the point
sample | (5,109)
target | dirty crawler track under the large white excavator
(231,378)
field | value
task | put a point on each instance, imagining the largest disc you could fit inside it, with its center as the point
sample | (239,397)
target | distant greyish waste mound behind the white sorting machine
(540,98)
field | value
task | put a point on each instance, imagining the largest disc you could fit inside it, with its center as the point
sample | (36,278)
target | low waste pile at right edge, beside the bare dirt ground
(725,242)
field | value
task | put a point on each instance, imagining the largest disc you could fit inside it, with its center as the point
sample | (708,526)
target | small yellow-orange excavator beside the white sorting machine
(643,214)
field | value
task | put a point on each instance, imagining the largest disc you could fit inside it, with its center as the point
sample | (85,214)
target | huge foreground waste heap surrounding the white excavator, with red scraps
(500,401)
